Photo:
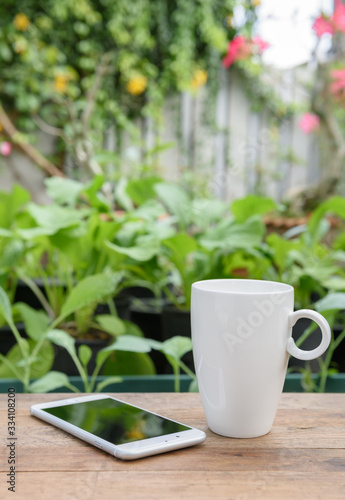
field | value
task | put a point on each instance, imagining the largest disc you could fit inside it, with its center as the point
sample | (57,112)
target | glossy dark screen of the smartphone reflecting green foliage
(115,421)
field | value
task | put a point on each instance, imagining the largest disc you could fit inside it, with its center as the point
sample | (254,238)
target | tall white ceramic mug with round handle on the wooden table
(241,333)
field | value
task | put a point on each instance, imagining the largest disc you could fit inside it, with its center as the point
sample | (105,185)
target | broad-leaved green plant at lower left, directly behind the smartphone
(33,357)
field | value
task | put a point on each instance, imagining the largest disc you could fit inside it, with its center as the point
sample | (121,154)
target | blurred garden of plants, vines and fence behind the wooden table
(155,147)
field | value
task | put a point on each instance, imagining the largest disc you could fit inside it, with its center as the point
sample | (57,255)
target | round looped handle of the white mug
(325,331)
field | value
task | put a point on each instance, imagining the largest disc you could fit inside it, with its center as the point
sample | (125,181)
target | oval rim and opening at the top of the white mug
(262,286)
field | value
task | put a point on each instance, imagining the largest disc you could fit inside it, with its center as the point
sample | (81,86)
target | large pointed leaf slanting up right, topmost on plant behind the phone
(92,289)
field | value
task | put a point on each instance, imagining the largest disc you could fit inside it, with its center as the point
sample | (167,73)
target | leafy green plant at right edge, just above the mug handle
(312,257)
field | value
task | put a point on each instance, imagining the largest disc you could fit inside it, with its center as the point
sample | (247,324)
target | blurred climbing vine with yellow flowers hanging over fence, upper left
(73,69)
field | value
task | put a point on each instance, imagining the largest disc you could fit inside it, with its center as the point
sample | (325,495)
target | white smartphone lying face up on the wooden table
(125,431)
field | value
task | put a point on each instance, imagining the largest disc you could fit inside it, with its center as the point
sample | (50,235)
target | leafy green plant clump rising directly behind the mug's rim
(216,244)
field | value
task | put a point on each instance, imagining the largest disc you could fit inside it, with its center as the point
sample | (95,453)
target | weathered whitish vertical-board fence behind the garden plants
(241,154)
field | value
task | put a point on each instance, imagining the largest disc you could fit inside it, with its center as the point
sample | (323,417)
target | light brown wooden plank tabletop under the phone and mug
(303,457)
